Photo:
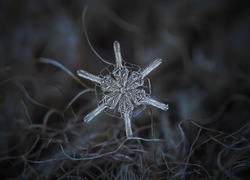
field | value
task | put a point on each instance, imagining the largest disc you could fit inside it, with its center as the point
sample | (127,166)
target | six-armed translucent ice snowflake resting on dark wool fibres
(123,90)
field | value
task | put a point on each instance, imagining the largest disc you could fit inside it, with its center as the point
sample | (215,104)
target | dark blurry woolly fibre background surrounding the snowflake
(204,77)
